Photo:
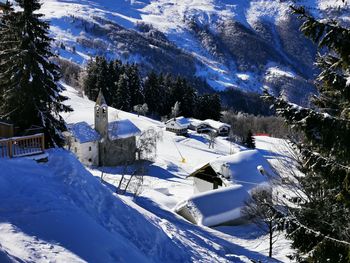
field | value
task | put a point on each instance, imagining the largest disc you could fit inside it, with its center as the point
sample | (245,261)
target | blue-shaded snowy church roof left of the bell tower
(83,132)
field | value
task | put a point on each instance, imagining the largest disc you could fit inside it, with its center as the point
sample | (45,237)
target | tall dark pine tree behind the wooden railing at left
(30,94)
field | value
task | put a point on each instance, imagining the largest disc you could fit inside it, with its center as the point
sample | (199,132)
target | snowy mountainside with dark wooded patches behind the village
(238,44)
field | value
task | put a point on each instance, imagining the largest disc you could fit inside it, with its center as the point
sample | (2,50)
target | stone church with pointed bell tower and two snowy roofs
(108,143)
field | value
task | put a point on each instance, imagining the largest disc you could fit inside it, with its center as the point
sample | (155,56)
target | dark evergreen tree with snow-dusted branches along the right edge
(321,226)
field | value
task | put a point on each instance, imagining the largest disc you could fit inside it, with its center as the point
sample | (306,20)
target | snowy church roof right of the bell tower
(122,129)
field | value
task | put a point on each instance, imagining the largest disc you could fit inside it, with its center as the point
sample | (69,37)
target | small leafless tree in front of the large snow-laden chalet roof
(261,211)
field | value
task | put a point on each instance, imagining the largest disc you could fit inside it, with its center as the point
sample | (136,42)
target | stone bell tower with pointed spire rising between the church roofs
(101,115)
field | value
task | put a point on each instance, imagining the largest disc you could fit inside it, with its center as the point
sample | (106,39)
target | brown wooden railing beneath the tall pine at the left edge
(22,146)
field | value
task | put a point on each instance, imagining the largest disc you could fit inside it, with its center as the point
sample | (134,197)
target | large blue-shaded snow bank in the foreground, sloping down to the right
(58,212)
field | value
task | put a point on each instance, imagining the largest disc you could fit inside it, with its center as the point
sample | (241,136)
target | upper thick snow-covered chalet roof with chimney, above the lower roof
(244,167)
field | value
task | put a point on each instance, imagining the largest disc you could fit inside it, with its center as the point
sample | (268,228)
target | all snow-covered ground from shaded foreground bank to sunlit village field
(60,212)
